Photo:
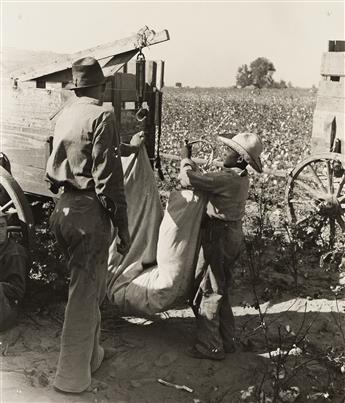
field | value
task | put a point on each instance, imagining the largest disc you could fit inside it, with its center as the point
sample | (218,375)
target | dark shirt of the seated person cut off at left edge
(13,269)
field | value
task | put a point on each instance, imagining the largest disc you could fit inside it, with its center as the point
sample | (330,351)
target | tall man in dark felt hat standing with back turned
(85,162)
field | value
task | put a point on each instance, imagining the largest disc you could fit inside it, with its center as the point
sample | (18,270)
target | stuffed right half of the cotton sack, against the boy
(161,287)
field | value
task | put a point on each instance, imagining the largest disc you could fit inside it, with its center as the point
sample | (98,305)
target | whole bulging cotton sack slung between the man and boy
(134,290)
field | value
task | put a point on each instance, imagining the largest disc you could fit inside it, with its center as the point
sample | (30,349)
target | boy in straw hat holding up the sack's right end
(221,241)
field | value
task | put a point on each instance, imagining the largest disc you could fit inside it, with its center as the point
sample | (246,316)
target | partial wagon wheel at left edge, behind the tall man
(14,203)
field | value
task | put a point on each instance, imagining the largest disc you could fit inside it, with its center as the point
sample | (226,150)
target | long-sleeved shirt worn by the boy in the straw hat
(227,190)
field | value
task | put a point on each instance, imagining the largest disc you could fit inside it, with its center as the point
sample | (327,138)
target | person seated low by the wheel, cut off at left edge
(14,264)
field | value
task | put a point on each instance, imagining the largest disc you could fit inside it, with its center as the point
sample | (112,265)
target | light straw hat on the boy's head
(248,145)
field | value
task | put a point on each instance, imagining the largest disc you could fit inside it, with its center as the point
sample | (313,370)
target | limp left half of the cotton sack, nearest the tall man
(144,217)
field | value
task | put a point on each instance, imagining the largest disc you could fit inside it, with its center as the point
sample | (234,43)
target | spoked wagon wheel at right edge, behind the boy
(315,197)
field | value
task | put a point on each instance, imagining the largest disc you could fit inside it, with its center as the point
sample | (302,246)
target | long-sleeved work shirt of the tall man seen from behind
(86,154)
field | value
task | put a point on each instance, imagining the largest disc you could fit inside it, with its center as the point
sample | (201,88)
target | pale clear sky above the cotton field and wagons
(209,41)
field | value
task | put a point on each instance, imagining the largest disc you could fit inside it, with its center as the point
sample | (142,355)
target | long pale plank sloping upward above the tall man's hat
(99,52)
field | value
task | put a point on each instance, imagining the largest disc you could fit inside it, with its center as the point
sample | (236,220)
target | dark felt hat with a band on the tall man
(86,72)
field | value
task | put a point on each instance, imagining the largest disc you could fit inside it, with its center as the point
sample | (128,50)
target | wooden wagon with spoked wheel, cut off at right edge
(315,195)
